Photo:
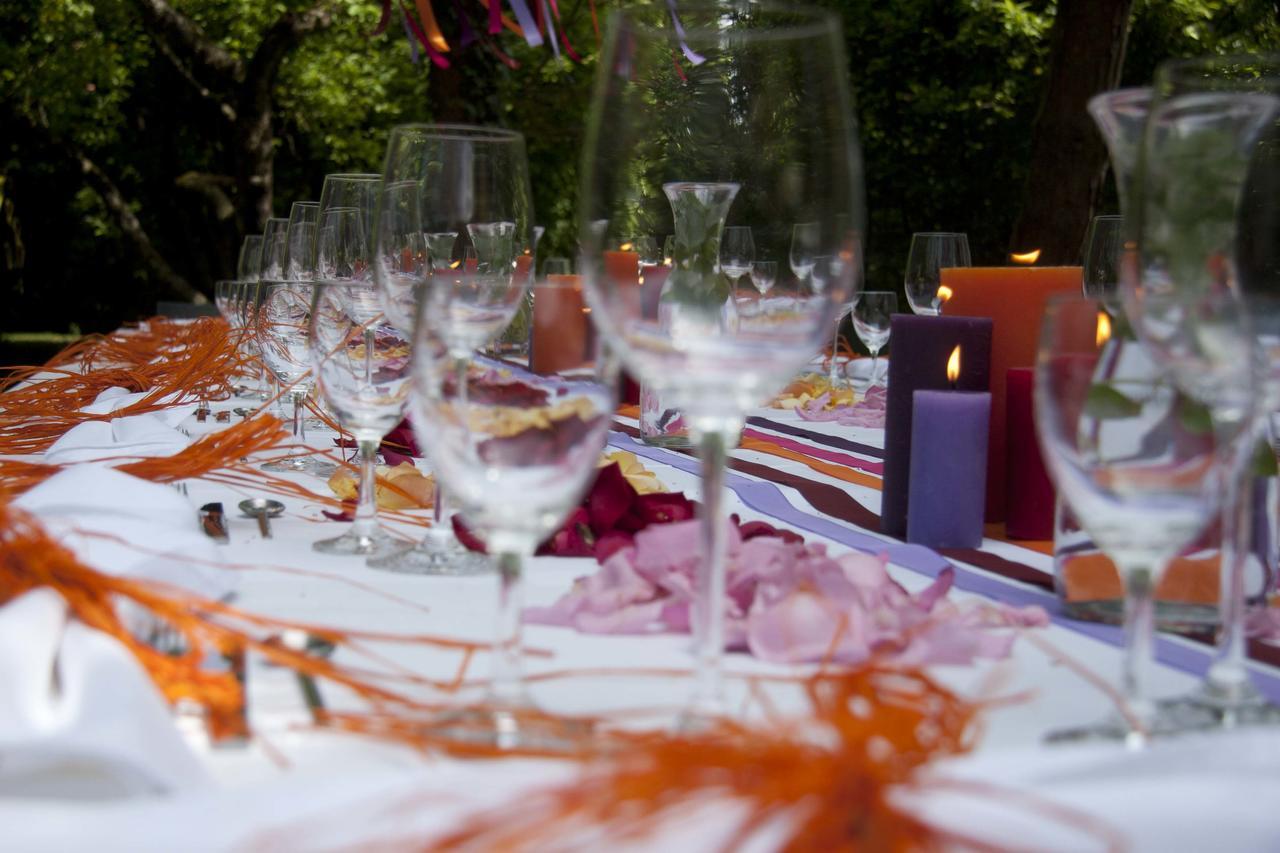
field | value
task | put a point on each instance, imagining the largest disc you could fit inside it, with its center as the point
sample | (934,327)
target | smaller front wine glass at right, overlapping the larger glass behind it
(1141,487)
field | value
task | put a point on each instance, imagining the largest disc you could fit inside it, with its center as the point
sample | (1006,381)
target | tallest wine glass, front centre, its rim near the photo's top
(708,133)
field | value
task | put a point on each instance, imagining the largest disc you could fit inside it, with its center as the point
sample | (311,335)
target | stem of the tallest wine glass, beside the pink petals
(714,441)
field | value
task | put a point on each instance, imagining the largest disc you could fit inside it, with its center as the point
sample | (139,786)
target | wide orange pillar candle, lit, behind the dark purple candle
(1014,298)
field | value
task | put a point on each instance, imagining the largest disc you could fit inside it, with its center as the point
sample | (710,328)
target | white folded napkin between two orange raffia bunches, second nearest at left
(152,531)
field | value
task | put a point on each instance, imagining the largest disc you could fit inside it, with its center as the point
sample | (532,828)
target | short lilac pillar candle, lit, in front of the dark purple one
(949,468)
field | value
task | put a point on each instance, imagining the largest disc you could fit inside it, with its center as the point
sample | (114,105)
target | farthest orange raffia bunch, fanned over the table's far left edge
(34,417)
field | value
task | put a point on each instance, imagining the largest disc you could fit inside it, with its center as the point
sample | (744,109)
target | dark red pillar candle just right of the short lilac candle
(1030,505)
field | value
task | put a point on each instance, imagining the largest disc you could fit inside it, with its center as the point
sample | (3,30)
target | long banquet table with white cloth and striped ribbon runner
(296,787)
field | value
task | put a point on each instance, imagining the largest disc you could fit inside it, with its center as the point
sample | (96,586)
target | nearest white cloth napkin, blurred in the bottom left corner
(79,717)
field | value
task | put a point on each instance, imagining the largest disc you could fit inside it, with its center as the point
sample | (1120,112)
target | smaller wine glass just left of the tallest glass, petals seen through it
(518,466)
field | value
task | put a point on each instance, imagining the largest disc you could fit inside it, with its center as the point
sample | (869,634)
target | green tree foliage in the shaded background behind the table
(947,93)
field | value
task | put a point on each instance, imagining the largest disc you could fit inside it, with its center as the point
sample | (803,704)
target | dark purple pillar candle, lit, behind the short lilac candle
(922,346)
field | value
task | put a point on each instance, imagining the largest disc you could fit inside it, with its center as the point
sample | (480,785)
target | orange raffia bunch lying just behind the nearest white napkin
(30,558)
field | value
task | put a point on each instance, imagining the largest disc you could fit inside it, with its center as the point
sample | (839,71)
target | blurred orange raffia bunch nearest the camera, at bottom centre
(830,777)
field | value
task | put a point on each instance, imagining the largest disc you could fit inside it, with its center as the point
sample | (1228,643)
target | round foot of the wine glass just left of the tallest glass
(511,727)
